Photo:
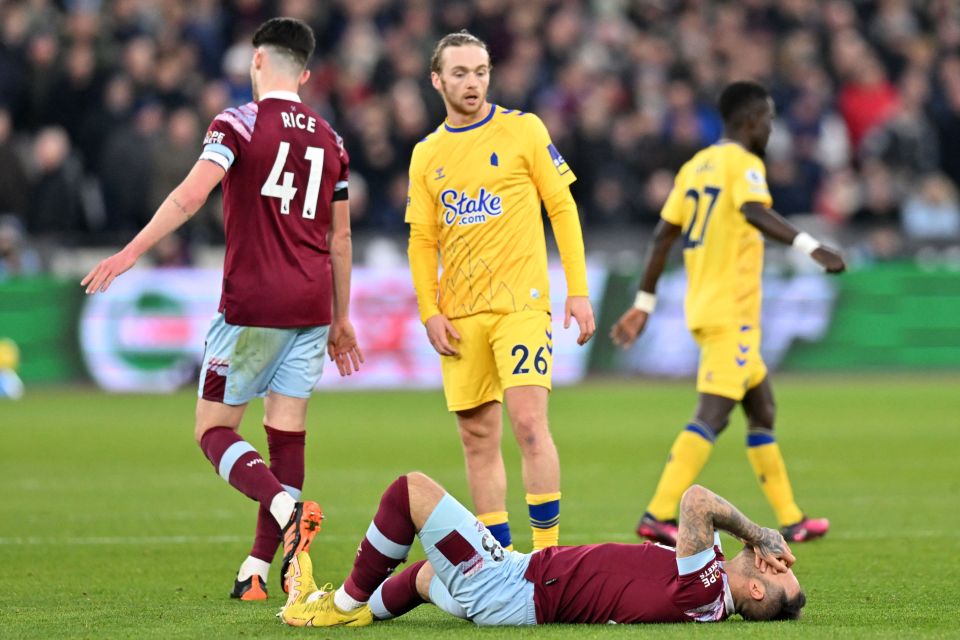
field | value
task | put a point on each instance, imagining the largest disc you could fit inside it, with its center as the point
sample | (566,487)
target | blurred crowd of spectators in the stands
(103,105)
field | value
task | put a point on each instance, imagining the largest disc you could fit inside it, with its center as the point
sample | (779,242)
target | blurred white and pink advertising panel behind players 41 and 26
(146,334)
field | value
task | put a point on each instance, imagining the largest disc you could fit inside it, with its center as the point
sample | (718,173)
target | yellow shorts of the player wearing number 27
(730,361)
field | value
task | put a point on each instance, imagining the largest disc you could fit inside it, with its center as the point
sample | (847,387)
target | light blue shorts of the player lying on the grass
(475,577)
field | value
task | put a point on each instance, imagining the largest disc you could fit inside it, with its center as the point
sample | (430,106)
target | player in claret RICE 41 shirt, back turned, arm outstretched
(286,286)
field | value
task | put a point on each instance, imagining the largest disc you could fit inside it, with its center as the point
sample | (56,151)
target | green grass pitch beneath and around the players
(113,525)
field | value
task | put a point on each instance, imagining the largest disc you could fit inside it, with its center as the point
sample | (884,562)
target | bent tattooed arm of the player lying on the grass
(702,512)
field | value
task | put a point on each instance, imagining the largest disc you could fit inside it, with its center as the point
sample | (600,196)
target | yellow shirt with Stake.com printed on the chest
(481,186)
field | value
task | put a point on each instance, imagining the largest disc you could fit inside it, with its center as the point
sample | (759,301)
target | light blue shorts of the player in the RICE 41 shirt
(242,362)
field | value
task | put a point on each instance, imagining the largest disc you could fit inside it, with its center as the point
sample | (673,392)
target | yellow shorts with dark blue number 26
(497,351)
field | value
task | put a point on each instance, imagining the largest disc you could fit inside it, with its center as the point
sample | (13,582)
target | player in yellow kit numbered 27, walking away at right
(720,204)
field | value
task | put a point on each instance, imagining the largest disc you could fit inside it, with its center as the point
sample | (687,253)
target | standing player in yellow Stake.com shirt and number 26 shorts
(476,187)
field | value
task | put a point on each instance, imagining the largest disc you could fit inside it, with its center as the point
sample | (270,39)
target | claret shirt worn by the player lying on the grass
(629,583)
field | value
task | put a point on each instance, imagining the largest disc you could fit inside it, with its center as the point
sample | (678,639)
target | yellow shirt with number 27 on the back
(722,252)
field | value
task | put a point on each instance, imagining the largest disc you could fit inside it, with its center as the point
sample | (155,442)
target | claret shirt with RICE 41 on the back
(284,168)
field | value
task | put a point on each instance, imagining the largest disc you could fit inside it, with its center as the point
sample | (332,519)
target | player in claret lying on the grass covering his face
(469,575)
